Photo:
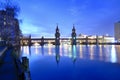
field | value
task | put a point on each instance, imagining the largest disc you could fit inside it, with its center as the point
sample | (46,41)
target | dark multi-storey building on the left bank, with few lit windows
(9,25)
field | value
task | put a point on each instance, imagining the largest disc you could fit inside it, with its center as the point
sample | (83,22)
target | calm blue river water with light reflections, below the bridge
(68,62)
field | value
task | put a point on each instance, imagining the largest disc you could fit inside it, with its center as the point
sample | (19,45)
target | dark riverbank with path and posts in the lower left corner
(11,67)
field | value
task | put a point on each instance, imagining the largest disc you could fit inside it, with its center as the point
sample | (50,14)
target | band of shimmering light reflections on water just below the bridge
(106,53)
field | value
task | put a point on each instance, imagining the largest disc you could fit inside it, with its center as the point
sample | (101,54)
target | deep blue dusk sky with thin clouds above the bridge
(91,17)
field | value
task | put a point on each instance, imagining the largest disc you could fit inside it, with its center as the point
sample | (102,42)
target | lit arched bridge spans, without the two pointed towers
(87,40)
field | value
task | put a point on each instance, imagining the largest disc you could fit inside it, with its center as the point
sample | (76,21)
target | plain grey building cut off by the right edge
(117,31)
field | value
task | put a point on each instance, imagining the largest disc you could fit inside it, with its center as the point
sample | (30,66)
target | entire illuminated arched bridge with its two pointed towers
(28,41)
